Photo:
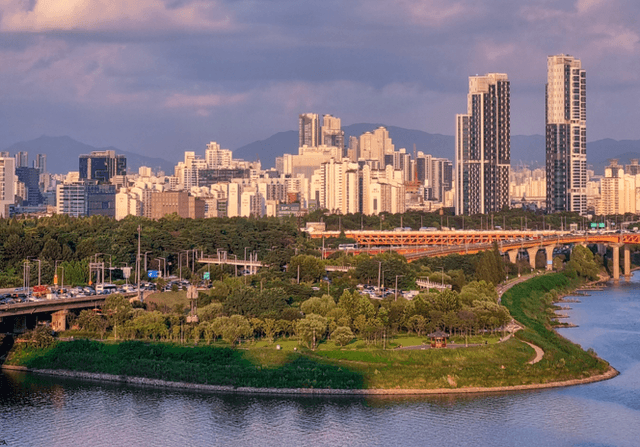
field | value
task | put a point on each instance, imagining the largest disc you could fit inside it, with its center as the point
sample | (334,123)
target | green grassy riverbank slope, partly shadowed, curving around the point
(353,367)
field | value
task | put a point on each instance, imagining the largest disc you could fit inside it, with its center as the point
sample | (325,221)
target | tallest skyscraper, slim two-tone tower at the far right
(566,135)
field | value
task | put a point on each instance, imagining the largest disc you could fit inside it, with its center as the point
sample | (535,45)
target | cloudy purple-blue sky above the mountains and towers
(161,77)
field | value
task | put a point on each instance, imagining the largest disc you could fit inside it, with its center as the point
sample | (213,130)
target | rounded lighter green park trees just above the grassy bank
(247,314)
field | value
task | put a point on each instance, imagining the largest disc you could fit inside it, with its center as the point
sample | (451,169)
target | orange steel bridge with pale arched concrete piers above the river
(418,244)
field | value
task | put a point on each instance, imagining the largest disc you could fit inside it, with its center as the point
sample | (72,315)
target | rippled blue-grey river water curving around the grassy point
(39,410)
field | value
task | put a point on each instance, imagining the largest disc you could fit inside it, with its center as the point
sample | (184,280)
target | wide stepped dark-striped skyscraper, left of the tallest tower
(483,146)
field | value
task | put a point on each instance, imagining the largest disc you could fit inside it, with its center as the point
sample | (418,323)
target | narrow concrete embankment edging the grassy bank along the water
(610,373)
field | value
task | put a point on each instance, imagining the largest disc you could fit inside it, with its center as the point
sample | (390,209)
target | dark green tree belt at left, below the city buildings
(73,242)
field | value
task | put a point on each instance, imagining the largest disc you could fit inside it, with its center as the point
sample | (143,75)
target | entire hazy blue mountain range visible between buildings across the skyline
(63,152)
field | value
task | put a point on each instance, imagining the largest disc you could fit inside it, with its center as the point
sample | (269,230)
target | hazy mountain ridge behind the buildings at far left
(63,153)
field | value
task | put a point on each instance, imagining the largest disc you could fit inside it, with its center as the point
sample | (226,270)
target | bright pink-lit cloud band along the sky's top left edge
(112,15)
